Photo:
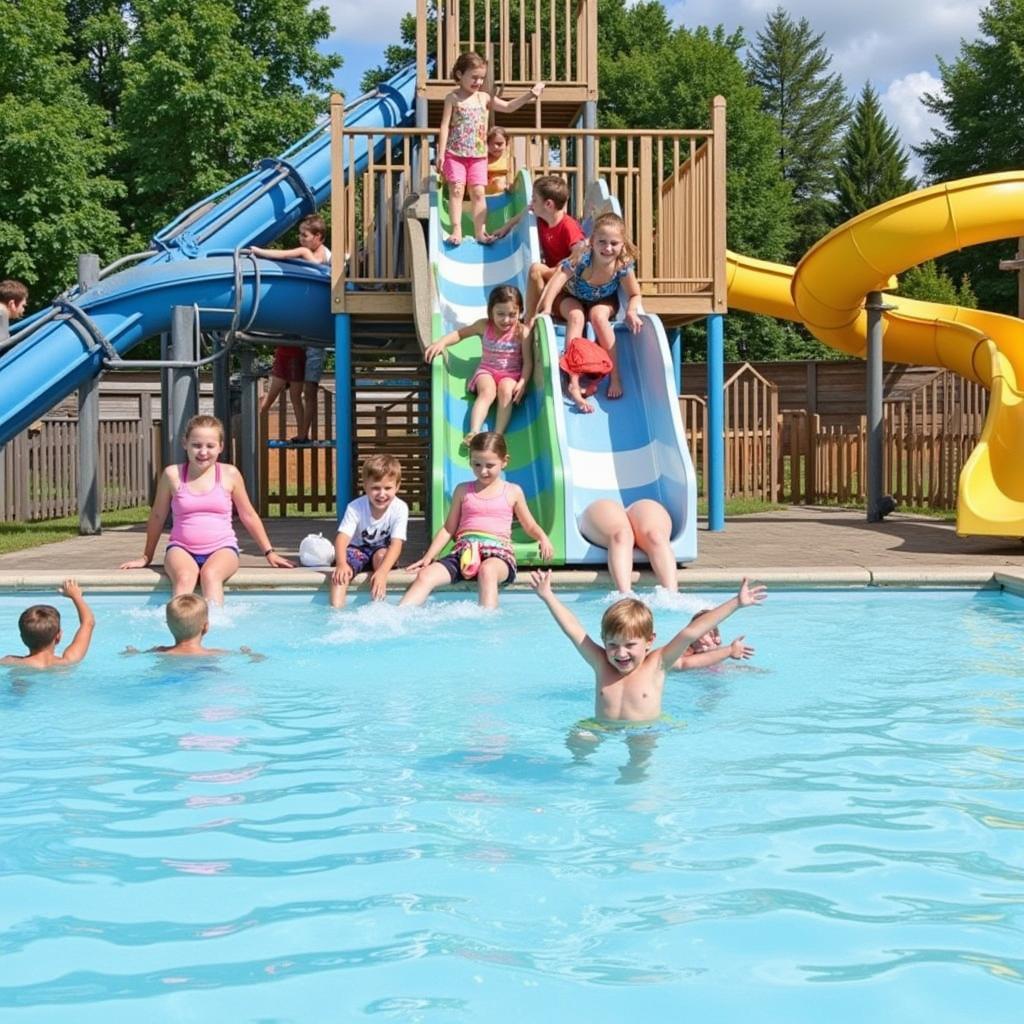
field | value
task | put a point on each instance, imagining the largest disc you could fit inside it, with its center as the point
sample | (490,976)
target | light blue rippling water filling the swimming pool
(382,821)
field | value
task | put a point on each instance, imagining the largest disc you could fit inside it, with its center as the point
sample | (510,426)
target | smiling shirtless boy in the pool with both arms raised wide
(629,672)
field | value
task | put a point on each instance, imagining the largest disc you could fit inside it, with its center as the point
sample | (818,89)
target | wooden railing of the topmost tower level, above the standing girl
(526,41)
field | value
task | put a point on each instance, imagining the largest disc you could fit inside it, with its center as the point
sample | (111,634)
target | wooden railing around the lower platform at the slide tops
(670,186)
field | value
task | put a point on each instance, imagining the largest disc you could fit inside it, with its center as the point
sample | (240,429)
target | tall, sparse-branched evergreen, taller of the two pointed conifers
(790,65)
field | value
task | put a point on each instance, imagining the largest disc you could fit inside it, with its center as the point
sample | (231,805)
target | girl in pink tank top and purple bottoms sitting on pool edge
(201,493)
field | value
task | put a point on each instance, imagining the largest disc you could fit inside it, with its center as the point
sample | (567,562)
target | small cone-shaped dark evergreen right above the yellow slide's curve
(873,165)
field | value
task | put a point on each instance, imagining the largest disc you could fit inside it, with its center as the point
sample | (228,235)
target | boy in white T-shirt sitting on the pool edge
(379,523)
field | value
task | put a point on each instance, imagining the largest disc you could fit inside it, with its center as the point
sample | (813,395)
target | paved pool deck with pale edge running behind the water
(797,546)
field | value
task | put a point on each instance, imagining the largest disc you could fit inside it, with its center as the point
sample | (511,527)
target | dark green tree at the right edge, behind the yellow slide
(983,108)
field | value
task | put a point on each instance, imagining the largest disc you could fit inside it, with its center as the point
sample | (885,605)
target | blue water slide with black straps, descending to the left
(60,349)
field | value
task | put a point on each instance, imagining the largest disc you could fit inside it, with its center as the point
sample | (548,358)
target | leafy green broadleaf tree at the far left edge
(56,198)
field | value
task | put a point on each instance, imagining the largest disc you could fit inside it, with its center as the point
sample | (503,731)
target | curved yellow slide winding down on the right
(827,292)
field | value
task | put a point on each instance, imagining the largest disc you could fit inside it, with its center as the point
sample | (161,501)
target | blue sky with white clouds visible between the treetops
(892,44)
